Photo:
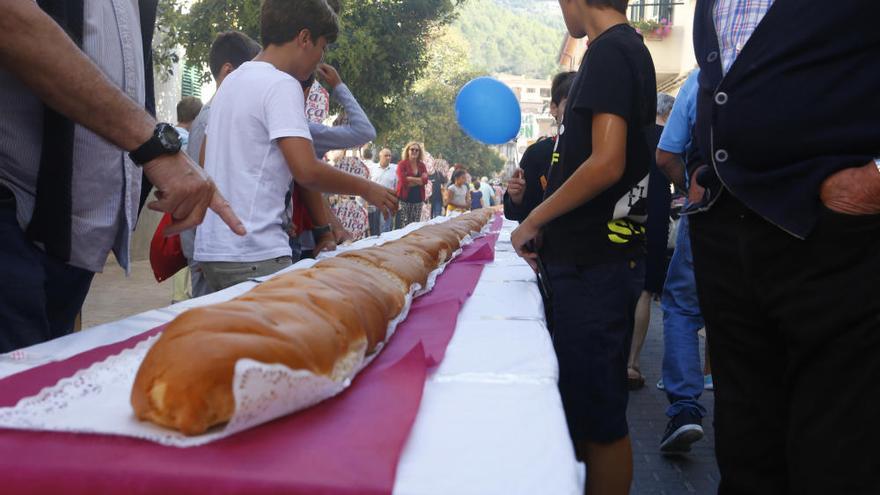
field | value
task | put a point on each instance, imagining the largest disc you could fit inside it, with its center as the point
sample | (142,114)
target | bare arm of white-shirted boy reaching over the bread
(321,177)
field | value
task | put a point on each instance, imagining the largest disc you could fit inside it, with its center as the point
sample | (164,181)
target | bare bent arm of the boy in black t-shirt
(601,170)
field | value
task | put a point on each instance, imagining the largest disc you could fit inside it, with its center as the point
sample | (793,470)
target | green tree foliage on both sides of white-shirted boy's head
(399,57)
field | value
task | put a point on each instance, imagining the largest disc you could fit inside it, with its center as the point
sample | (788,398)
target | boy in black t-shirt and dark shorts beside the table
(593,243)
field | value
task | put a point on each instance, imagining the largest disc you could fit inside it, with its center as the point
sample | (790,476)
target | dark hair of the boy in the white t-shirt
(282,20)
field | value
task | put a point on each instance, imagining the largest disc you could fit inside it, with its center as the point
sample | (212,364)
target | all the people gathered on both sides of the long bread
(772,144)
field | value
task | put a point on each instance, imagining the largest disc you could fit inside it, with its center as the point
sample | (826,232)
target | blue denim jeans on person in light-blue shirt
(682,371)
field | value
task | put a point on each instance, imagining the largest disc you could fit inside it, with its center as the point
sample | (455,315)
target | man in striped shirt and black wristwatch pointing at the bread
(72,97)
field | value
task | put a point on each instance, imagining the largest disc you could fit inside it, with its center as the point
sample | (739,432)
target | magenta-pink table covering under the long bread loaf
(350,444)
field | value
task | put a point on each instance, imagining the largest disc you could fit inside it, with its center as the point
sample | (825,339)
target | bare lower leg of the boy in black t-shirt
(609,467)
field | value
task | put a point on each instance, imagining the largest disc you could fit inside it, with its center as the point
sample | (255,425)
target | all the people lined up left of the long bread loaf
(271,213)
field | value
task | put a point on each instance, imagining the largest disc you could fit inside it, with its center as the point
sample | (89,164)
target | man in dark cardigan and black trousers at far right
(786,245)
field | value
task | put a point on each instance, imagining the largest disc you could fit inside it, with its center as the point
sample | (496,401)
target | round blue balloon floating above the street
(487,111)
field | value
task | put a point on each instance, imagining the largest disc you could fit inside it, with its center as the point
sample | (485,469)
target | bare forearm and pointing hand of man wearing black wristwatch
(37,51)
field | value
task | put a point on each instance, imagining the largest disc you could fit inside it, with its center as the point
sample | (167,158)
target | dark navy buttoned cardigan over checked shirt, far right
(801,101)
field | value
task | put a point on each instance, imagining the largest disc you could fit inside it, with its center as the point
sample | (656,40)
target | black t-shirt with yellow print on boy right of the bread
(616,77)
